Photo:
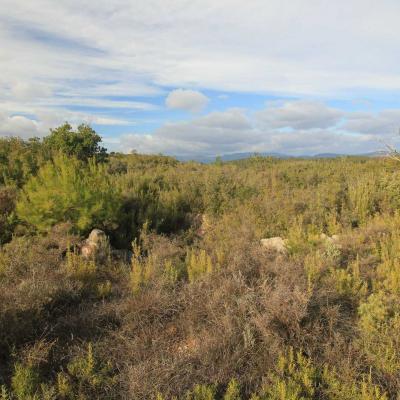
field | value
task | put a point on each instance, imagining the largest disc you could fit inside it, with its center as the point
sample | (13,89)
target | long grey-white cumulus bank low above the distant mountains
(233,131)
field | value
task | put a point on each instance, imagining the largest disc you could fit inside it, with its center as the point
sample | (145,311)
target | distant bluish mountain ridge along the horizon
(242,156)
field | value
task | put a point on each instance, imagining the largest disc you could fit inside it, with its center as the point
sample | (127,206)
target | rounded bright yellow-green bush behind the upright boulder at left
(65,190)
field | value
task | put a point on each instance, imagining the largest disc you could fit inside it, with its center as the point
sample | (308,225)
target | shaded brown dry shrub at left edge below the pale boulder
(43,310)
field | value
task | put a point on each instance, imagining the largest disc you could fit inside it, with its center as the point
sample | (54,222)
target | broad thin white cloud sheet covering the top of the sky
(286,47)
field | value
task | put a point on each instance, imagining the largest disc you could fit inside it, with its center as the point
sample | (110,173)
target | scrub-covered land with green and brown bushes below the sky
(180,297)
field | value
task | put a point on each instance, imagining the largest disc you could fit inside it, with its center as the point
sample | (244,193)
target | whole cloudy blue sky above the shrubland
(205,78)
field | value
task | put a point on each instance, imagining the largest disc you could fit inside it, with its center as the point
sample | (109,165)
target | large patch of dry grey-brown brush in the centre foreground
(230,323)
